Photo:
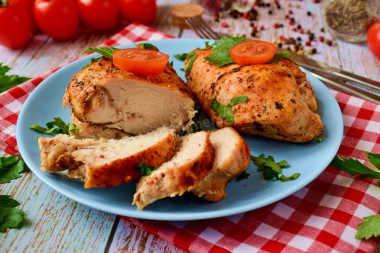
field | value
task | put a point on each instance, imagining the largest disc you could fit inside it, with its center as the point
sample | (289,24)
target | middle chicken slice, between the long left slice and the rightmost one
(189,165)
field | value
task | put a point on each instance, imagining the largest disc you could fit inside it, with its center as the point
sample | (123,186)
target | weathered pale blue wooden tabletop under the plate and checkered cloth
(57,224)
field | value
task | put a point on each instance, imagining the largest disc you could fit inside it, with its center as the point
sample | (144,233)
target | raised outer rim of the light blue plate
(170,216)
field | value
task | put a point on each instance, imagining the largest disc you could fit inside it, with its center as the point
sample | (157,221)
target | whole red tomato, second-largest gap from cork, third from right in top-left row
(57,18)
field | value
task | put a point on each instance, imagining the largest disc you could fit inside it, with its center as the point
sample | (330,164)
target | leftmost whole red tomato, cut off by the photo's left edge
(15,27)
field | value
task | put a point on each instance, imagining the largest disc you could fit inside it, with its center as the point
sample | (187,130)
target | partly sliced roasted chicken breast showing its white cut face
(105,96)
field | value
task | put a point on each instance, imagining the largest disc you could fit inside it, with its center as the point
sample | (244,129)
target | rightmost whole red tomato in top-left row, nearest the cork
(141,11)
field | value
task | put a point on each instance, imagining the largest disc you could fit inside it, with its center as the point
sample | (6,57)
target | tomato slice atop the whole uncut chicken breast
(252,52)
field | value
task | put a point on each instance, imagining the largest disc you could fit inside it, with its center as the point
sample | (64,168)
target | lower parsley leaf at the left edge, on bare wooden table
(10,217)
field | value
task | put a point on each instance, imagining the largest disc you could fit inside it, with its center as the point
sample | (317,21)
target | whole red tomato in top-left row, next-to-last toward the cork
(100,15)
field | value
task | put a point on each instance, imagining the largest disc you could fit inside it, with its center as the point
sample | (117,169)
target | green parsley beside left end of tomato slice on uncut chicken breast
(220,55)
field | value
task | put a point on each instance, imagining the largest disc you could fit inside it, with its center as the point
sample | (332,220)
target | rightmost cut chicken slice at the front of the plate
(232,157)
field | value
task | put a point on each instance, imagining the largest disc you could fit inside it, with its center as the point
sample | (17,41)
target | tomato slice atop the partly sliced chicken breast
(140,61)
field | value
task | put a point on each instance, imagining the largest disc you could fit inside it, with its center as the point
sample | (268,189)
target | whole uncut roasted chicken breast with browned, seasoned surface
(280,101)
